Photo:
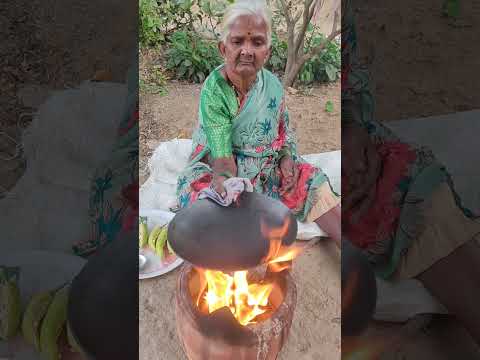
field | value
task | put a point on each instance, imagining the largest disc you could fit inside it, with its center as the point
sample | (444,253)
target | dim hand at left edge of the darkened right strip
(361,165)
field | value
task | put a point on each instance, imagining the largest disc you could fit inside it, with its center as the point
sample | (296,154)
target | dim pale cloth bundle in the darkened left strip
(69,137)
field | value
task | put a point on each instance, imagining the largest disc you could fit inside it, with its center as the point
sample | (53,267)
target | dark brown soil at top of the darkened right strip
(435,76)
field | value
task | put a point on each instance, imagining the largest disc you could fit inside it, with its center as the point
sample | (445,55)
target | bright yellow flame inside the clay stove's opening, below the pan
(245,301)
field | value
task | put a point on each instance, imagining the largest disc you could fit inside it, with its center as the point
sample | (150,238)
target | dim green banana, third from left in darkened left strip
(53,325)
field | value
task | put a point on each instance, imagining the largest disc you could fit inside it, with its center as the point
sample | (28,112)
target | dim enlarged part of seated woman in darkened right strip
(400,206)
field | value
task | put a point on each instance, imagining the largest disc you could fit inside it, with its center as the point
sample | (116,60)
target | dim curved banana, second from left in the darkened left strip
(32,318)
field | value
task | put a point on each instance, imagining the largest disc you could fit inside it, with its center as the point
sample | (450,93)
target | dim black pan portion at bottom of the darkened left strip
(103,303)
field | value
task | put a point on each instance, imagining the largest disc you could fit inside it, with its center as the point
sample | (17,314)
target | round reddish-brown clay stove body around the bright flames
(219,335)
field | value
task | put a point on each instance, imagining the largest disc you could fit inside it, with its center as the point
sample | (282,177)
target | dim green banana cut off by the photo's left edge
(10,306)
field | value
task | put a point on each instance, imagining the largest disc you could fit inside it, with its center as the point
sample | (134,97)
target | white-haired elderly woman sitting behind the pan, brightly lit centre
(244,130)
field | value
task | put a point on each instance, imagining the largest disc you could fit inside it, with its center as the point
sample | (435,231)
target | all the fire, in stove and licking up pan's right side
(247,300)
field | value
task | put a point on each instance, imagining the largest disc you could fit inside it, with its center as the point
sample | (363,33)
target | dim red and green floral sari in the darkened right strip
(410,174)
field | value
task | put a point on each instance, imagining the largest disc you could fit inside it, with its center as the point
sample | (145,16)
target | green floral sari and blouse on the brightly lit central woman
(257,134)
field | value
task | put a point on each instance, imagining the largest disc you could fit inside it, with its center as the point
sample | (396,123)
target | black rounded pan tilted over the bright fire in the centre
(230,238)
